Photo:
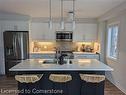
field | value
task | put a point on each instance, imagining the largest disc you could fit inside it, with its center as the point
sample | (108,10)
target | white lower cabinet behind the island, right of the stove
(87,56)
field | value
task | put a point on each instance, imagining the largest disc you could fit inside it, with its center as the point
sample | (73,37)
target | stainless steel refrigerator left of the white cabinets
(16,48)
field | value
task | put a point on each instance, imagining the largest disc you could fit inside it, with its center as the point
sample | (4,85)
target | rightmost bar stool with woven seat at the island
(92,84)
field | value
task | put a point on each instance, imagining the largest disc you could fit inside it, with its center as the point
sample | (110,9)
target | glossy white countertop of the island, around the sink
(77,65)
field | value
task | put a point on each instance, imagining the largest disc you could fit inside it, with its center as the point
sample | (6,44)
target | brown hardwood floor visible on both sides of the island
(11,84)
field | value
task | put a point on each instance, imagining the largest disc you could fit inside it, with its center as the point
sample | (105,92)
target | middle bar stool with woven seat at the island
(60,83)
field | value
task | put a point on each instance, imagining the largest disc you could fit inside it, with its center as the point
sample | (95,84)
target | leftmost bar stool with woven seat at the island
(28,82)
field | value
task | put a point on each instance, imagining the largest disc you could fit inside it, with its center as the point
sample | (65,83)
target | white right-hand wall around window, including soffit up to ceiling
(118,76)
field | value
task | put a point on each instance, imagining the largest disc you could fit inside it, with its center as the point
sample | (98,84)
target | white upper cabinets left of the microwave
(40,31)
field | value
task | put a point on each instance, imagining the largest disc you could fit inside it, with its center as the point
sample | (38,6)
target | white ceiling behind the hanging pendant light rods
(40,8)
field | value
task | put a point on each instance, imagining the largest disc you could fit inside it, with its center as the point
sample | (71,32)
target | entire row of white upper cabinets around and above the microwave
(83,31)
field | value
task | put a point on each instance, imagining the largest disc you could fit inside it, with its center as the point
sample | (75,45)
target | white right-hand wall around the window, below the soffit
(118,76)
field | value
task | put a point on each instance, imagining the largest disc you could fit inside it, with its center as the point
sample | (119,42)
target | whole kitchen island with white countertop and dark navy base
(77,67)
